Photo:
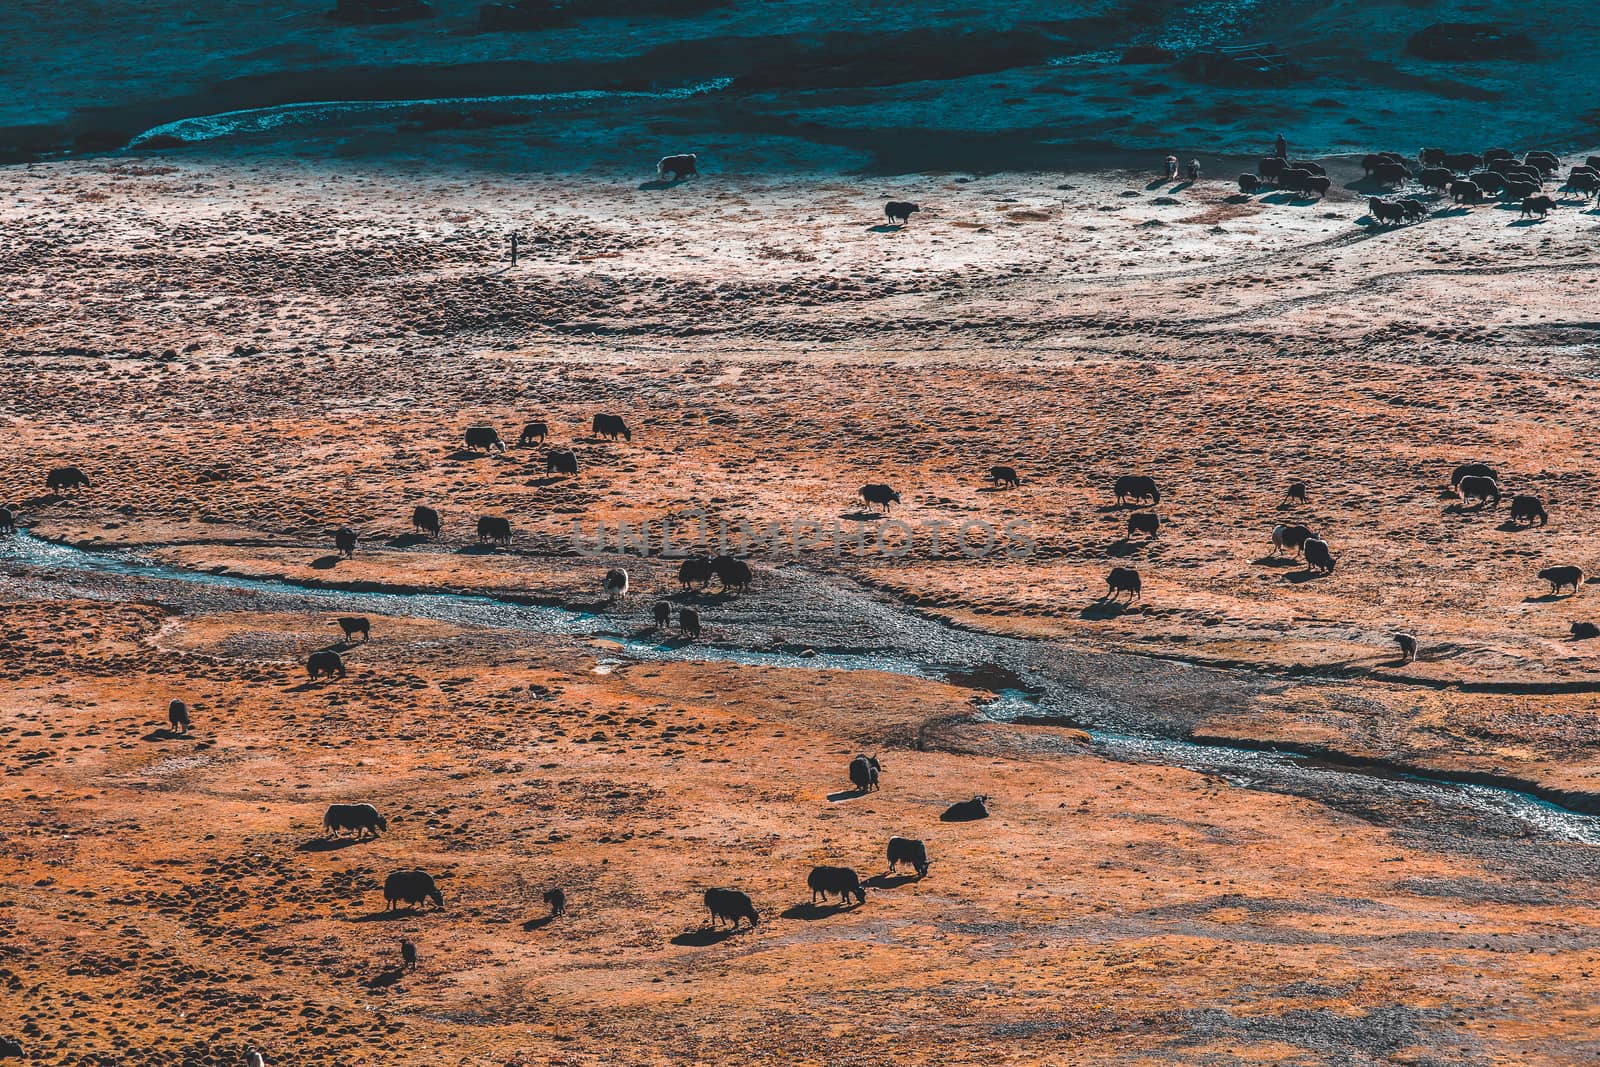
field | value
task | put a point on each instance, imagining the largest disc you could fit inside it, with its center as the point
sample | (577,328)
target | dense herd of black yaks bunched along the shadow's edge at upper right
(1465,177)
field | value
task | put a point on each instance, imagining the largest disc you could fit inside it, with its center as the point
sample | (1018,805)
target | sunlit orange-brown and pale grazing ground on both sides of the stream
(247,354)
